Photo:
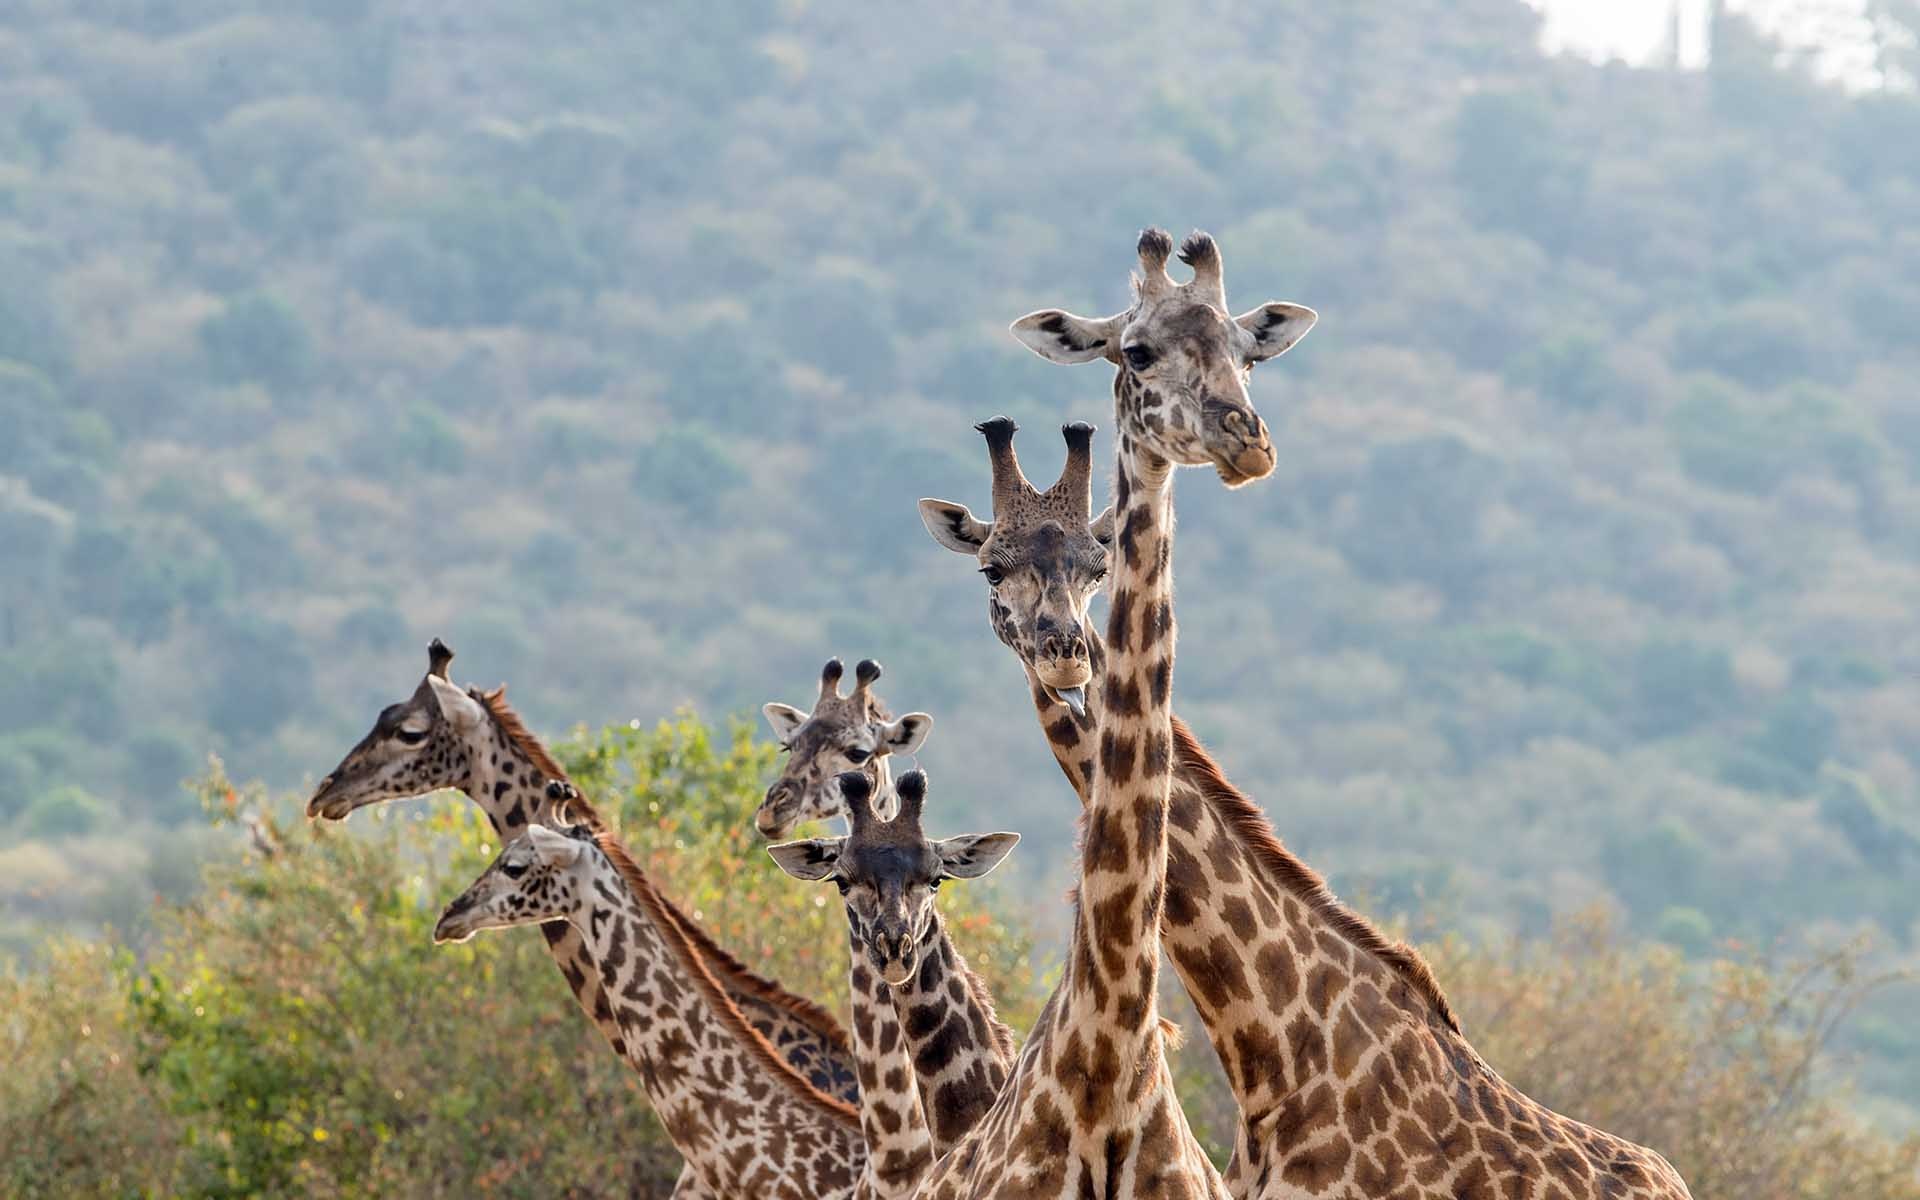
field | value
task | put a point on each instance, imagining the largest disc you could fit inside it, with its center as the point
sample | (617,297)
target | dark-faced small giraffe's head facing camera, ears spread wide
(888,871)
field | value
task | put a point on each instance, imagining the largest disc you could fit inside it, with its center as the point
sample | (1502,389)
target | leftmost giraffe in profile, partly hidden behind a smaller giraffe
(469,740)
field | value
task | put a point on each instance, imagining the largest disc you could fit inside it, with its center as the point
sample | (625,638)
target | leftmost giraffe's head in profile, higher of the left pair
(416,746)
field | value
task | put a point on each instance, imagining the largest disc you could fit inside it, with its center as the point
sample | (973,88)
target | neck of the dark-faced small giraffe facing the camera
(963,1053)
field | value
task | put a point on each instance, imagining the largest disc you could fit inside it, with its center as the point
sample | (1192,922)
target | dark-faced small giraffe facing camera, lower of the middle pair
(888,875)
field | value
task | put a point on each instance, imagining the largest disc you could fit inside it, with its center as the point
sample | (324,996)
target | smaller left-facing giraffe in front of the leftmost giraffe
(742,1118)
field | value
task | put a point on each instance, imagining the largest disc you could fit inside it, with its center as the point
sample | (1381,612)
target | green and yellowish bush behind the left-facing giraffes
(297,1032)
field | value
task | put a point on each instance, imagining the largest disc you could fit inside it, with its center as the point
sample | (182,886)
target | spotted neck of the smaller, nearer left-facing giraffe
(736,1128)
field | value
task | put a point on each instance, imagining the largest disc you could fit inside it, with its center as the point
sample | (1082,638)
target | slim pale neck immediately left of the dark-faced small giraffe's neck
(900,1149)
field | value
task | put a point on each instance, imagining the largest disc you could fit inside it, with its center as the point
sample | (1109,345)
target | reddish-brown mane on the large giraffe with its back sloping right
(1299,878)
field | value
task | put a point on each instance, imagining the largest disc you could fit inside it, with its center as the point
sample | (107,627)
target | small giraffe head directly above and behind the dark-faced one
(844,732)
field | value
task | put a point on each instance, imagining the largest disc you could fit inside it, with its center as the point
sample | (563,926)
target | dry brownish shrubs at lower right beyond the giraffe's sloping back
(1712,1065)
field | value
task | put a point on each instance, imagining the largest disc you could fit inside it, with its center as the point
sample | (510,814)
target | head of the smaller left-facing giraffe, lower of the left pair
(539,878)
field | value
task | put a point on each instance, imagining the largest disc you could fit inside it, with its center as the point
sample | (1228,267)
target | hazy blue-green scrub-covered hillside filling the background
(613,345)
